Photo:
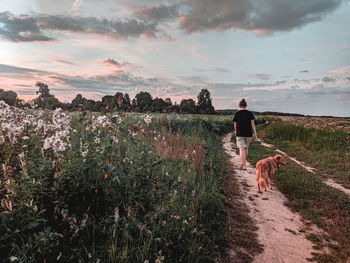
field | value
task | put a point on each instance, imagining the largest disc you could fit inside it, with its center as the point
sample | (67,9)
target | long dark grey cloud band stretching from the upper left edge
(34,27)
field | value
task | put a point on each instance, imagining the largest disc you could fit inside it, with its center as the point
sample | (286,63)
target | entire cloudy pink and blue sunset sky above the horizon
(280,55)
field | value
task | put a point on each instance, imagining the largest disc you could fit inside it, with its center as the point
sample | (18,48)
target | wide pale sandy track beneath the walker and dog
(278,226)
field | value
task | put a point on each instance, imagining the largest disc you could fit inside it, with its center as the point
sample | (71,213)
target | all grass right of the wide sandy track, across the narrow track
(328,151)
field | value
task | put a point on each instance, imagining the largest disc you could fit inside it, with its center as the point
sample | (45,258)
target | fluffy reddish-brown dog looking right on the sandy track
(265,170)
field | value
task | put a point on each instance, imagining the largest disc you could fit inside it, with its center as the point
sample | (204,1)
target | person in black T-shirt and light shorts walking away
(244,130)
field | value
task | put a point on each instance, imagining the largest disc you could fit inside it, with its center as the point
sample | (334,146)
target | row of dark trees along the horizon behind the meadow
(143,102)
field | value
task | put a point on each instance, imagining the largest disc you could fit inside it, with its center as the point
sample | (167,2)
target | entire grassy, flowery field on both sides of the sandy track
(128,187)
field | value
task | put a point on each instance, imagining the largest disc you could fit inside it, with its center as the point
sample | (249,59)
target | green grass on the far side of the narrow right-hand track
(327,151)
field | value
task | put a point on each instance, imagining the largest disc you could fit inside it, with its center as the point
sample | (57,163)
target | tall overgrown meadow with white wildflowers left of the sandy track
(83,187)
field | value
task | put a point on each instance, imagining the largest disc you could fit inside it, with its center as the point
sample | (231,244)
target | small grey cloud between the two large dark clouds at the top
(157,13)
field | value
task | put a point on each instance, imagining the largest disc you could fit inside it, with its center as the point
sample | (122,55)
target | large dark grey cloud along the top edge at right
(261,17)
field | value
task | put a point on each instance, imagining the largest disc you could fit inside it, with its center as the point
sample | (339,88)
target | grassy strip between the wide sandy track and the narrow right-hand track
(325,206)
